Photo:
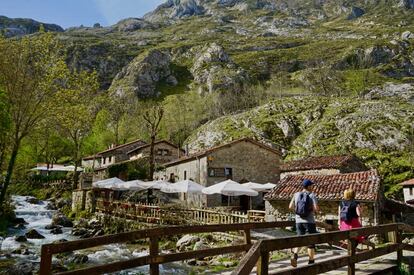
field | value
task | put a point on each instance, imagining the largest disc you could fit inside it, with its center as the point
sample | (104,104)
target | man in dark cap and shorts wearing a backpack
(305,205)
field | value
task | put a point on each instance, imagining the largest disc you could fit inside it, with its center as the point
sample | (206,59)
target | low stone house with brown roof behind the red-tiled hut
(323,165)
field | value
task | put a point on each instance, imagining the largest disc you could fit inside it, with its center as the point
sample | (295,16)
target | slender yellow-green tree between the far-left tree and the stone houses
(76,111)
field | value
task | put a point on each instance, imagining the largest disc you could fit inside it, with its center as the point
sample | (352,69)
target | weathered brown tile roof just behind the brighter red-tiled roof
(314,163)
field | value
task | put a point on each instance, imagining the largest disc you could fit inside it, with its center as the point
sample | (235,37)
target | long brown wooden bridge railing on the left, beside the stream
(155,258)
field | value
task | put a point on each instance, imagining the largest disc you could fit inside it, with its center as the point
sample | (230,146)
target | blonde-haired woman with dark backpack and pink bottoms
(349,213)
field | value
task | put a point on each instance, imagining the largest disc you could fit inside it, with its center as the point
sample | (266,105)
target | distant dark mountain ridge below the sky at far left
(21,26)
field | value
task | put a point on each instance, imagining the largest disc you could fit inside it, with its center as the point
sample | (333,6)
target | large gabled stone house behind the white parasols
(241,160)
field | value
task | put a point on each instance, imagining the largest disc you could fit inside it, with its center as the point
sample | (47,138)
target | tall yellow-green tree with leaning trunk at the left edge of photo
(29,69)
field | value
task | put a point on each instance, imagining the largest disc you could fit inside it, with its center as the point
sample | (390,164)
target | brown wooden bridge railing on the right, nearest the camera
(259,252)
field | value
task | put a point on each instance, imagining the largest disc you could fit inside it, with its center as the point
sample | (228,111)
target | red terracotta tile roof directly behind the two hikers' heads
(330,187)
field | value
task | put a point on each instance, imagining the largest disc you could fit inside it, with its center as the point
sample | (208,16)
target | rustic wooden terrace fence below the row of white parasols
(152,213)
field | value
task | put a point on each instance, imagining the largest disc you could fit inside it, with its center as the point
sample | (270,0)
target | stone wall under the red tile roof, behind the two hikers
(278,210)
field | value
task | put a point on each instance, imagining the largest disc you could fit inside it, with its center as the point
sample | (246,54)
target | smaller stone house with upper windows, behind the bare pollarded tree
(164,151)
